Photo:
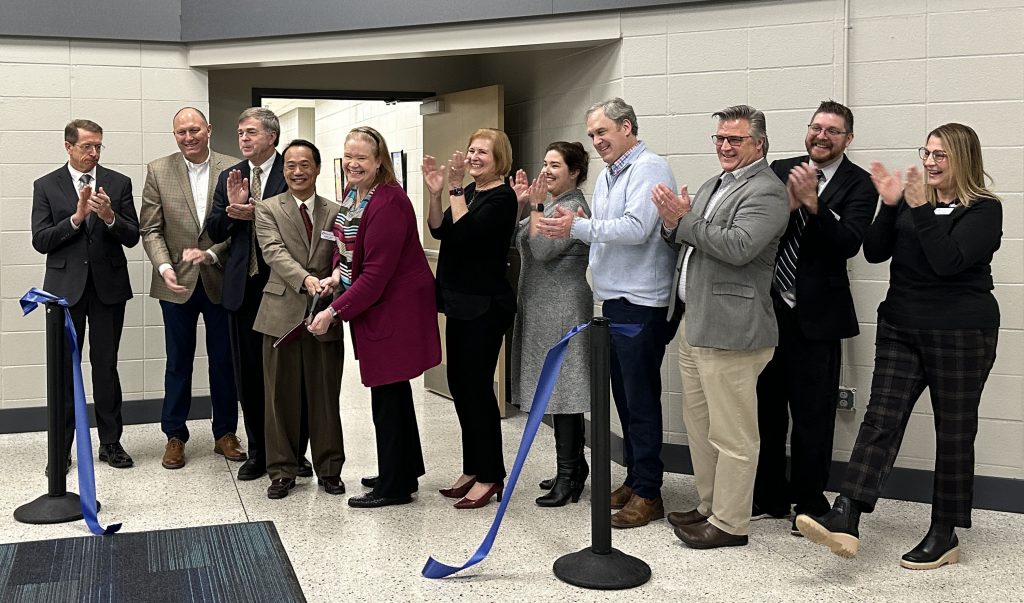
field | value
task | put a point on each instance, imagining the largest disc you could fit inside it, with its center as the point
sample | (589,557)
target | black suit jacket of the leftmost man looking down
(93,250)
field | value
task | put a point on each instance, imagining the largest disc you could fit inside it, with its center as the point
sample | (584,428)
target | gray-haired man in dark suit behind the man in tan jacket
(239,189)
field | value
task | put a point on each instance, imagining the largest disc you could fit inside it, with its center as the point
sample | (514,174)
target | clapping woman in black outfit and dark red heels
(476,233)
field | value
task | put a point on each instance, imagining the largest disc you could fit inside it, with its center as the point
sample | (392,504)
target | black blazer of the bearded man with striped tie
(825,306)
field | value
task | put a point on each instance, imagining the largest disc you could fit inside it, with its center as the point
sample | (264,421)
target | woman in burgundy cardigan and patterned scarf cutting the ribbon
(387,293)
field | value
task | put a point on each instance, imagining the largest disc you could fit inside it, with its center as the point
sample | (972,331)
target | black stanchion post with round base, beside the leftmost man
(58,505)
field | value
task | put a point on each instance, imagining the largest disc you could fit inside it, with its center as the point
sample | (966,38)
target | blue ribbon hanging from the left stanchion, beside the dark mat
(87,473)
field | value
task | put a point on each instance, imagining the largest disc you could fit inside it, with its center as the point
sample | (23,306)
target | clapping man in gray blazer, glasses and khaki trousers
(728,239)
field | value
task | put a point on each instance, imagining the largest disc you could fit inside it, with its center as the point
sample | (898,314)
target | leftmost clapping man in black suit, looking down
(83,217)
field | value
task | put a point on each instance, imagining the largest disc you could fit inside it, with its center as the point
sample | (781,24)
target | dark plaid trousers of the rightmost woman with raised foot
(954,366)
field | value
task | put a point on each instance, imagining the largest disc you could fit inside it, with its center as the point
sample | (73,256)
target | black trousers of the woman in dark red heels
(473,355)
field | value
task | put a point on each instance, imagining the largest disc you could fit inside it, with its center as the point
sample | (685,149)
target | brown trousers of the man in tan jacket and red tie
(312,370)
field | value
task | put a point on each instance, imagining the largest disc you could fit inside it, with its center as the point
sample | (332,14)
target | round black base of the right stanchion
(613,572)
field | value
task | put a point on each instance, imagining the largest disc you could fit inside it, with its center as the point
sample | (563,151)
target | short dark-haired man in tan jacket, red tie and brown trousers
(294,234)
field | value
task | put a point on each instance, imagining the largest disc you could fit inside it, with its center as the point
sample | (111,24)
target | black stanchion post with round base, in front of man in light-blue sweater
(601,567)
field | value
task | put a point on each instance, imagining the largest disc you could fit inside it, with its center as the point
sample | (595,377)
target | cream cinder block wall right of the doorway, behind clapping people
(913,66)
